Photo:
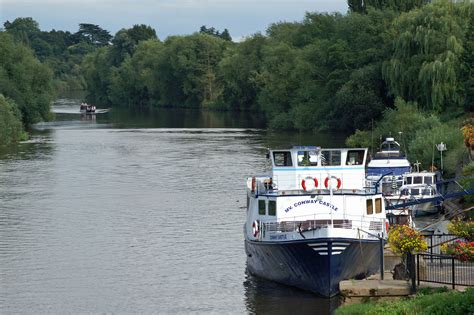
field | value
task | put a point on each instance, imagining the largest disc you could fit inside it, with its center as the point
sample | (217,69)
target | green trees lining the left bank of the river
(35,66)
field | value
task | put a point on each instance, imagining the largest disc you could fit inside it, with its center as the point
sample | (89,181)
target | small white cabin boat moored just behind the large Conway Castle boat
(421,187)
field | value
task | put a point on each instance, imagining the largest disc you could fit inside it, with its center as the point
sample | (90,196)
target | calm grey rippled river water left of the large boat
(137,213)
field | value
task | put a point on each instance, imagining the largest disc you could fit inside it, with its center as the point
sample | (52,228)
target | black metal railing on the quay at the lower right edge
(444,269)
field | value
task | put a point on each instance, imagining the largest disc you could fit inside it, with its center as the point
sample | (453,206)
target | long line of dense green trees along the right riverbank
(329,71)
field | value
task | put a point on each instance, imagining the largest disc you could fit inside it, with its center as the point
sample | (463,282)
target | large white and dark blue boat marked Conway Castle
(311,222)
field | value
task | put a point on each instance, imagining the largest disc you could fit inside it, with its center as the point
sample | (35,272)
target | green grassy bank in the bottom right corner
(425,302)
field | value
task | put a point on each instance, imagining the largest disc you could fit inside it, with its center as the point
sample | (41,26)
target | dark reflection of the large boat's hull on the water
(268,297)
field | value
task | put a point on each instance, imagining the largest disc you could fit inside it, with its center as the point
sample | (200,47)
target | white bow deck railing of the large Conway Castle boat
(321,221)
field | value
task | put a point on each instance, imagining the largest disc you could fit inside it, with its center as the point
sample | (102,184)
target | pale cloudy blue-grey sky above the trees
(179,17)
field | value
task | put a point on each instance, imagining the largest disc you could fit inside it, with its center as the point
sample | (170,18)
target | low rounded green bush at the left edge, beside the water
(11,129)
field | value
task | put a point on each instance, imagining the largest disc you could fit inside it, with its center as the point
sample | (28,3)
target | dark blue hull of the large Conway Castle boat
(317,265)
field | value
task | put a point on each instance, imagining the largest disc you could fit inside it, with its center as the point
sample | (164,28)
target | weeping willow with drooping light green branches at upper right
(427,65)
